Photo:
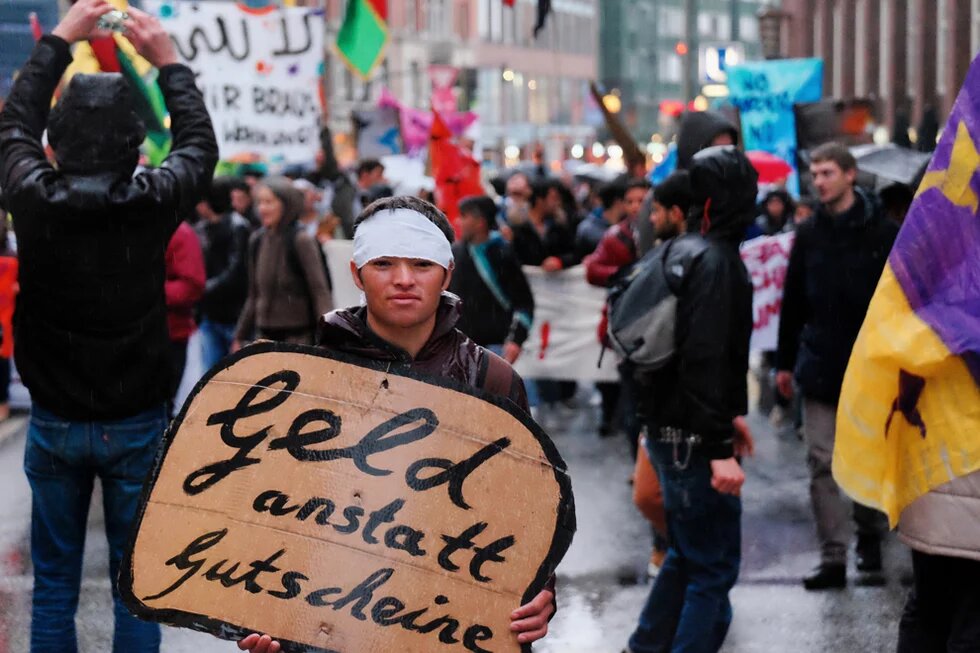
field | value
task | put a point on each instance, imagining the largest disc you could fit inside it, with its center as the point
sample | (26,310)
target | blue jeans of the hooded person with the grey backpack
(688,610)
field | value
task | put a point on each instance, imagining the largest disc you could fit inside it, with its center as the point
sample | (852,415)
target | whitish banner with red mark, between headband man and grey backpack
(563,343)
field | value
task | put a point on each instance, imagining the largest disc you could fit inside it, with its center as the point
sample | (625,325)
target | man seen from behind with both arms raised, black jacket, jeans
(91,321)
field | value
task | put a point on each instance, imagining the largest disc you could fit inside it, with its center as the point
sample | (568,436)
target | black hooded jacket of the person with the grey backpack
(703,388)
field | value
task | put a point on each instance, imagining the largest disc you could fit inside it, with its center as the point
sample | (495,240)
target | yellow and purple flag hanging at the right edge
(909,414)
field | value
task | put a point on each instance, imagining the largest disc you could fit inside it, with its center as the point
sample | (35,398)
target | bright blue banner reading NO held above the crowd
(765,92)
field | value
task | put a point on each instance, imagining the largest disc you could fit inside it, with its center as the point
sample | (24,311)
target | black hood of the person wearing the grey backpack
(724,186)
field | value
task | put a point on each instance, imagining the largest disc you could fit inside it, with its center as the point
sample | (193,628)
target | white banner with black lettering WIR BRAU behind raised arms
(259,71)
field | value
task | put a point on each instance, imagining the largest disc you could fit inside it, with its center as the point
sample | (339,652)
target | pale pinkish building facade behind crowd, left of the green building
(525,89)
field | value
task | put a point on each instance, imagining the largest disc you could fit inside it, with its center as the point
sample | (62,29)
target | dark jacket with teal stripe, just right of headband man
(498,306)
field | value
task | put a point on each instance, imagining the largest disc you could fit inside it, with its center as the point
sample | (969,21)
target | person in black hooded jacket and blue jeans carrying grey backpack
(692,412)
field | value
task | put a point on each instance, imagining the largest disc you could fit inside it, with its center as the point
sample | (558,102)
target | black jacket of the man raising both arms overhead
(91,323)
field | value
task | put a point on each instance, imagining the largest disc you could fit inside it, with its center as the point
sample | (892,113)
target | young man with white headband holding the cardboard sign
(403,262)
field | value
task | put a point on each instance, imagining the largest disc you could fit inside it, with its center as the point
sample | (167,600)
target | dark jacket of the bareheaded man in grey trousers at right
(833,272)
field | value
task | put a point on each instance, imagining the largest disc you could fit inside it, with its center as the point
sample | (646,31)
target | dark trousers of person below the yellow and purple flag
(942,614)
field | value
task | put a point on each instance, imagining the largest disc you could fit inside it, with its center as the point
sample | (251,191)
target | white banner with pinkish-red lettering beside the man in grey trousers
(767,259)
